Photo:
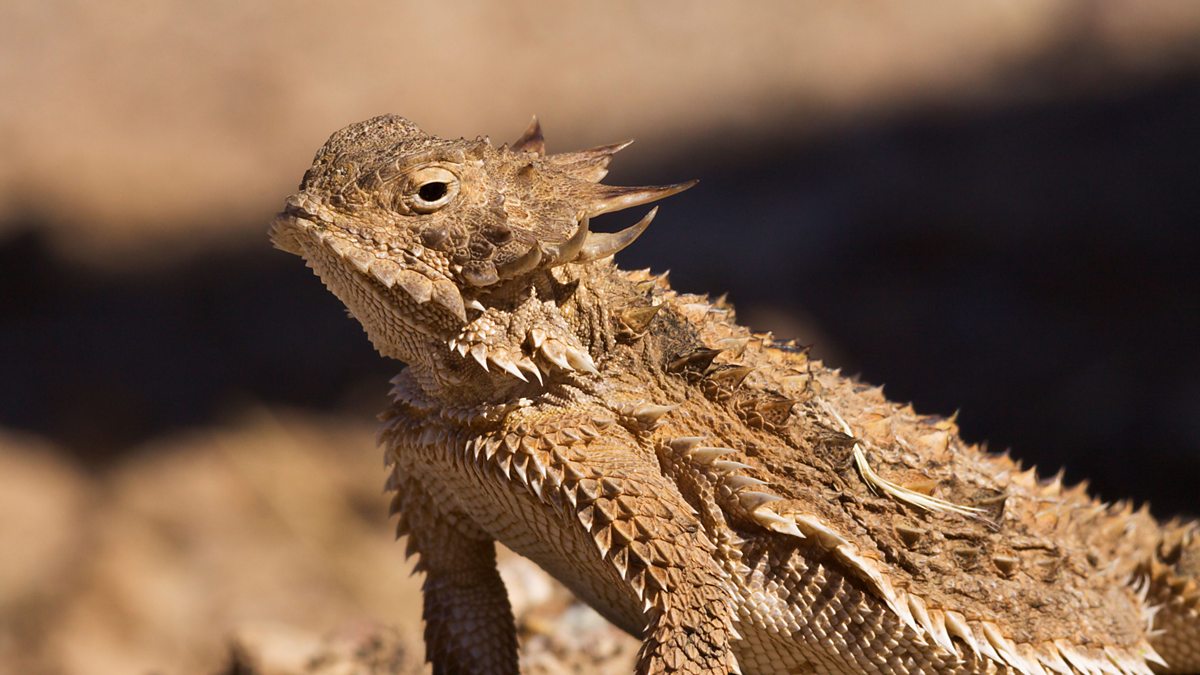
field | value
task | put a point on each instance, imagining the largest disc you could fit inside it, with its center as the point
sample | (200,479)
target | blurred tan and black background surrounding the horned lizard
(988,207)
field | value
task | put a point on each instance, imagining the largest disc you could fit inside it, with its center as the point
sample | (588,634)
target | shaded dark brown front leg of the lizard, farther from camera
(469,622)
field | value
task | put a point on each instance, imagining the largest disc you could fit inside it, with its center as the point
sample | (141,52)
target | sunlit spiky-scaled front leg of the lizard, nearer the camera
(609,491)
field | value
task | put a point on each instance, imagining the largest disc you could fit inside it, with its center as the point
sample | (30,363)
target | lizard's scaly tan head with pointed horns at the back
(418,235)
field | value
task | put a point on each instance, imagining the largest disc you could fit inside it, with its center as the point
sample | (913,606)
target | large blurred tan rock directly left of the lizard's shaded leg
(279,519)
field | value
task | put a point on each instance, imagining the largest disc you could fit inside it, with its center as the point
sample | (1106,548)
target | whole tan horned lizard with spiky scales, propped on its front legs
(733,501)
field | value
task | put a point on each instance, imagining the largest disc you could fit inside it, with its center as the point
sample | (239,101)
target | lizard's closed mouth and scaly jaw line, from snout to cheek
(394,274)
